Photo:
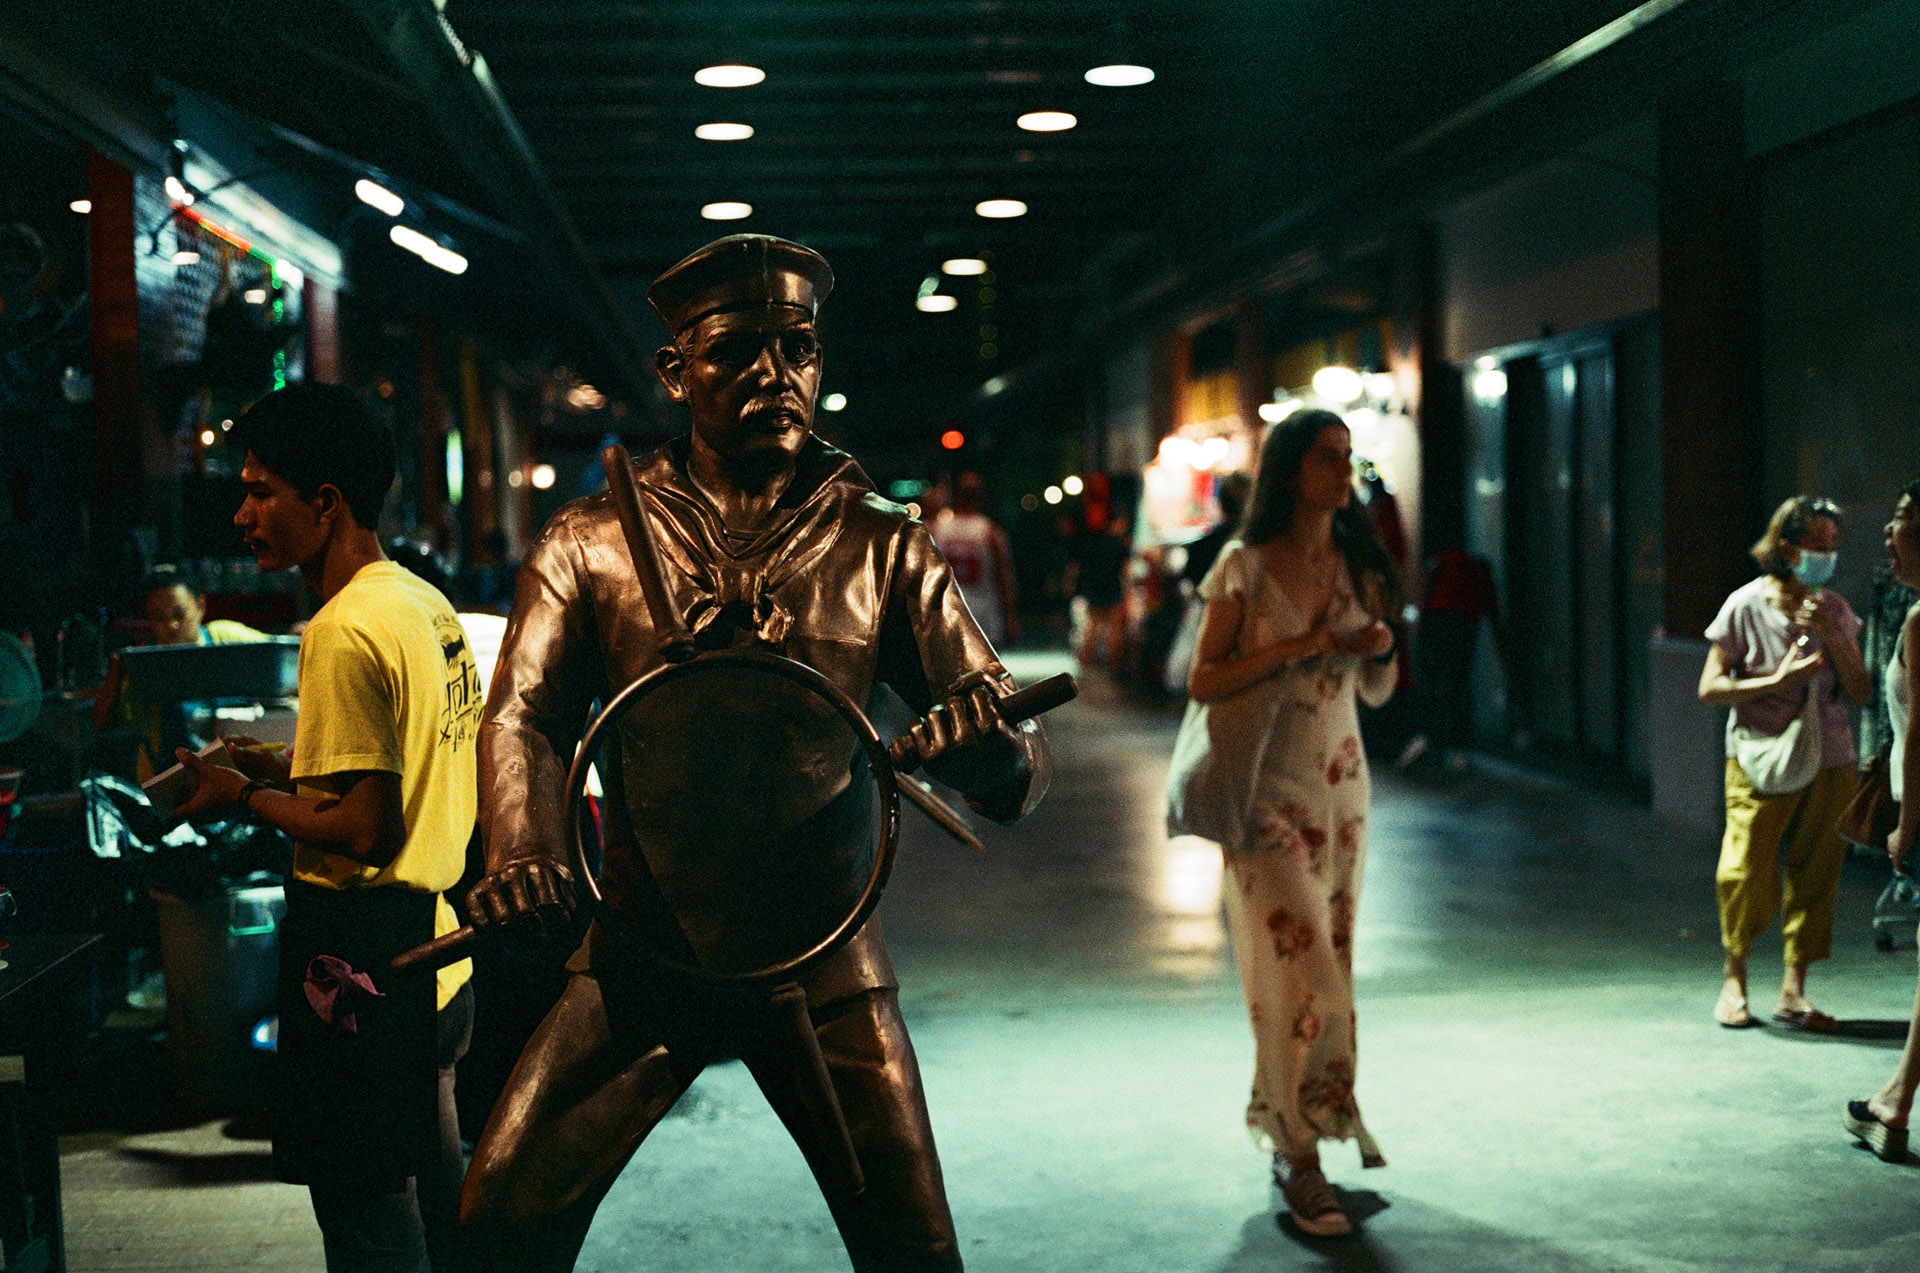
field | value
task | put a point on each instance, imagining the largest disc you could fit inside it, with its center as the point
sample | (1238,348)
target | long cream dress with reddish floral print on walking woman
(1293,884)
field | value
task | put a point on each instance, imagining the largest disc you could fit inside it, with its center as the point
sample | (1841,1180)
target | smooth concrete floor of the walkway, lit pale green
(1537,969)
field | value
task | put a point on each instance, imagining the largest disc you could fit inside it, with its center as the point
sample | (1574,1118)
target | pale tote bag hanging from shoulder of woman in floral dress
(1211,782)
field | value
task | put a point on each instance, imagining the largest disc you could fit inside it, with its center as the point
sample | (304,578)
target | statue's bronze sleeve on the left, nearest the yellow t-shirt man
(537,709)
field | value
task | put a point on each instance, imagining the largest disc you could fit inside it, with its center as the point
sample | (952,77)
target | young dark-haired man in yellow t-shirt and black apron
(379,798)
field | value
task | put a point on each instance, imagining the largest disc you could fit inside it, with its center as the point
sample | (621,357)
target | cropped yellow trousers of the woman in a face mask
(1781,855)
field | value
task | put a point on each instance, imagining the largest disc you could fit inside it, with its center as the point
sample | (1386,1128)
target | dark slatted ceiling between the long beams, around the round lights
(882,124)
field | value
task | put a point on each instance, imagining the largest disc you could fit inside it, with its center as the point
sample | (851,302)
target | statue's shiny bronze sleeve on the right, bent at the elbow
(932,650)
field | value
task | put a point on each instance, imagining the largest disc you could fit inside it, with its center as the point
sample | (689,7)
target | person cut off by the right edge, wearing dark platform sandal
(1883,1118)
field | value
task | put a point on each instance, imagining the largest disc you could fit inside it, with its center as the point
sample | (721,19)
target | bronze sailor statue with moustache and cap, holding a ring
(748,809)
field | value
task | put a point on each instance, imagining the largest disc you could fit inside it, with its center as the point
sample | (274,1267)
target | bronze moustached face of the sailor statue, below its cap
(750,381)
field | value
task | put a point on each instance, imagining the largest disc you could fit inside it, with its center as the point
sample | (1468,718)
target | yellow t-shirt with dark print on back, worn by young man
(389,683)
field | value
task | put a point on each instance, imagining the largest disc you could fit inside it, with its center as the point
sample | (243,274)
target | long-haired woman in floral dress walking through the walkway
(1293,636)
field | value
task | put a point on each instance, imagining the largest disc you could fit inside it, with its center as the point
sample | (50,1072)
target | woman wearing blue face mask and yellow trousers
(1785,652)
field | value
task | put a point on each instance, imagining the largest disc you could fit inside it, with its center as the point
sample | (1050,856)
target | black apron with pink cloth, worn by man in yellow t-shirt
(356,1109)
